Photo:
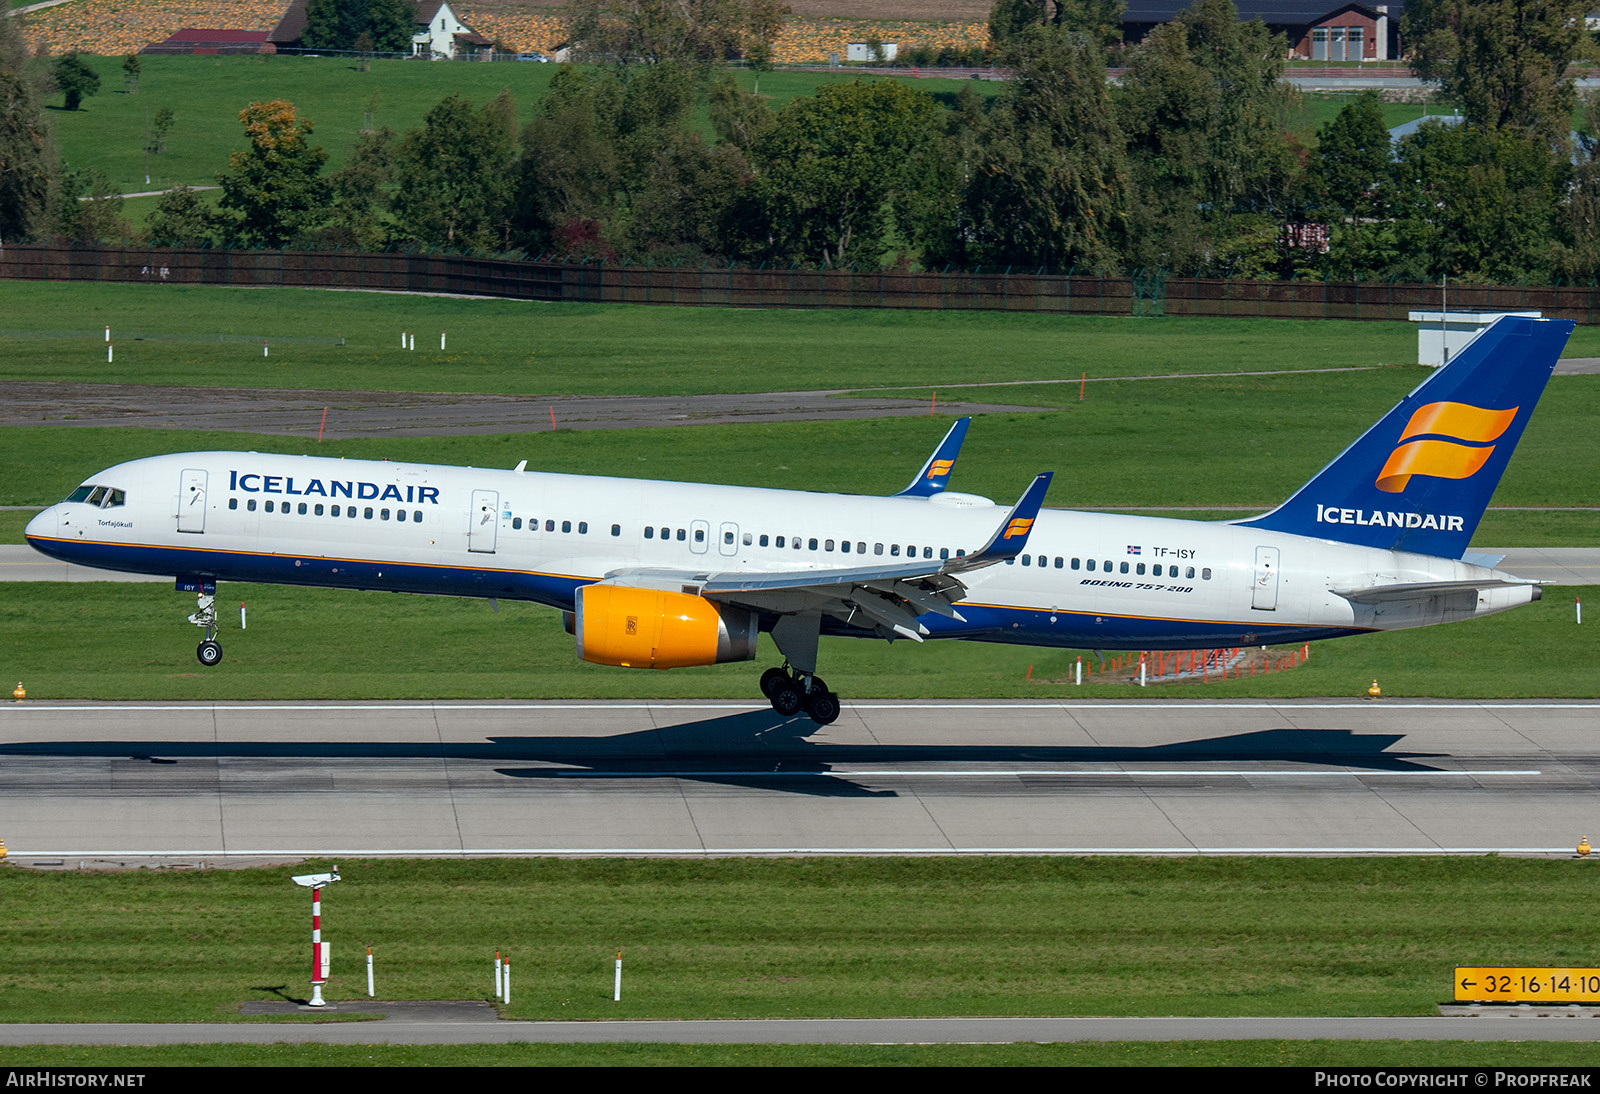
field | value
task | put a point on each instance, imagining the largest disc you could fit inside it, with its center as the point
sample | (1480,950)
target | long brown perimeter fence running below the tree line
(999,290)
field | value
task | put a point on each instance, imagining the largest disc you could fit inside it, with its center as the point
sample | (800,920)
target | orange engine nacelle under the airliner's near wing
(658,629)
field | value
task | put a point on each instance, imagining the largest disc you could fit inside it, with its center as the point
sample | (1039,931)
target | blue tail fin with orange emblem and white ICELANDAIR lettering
(1422,477)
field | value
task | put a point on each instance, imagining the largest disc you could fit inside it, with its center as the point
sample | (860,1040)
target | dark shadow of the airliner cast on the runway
(767,753)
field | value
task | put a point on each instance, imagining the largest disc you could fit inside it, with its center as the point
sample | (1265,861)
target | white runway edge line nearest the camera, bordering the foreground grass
(20,855)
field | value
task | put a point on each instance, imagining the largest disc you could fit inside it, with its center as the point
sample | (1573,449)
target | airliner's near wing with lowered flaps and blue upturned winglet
(886,599)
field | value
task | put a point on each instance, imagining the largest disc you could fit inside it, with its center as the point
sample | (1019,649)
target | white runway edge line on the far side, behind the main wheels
(666,705)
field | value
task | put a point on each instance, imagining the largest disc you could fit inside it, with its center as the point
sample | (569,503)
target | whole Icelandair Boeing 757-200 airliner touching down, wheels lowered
(657,575)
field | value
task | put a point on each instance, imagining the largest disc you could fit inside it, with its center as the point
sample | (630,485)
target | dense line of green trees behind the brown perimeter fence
(1183,164)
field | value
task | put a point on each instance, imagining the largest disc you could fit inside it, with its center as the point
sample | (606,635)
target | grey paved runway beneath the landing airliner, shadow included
(95,785)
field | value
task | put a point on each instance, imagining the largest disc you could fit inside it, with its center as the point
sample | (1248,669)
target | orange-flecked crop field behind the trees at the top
(126,26)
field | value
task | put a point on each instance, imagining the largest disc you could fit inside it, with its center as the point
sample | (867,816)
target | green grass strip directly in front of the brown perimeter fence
(617,349)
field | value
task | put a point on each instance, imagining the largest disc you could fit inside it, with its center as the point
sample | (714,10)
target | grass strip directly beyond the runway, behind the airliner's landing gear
(310,644)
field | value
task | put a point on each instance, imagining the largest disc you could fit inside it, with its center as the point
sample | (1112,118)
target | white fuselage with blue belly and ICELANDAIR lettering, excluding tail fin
(1086,580)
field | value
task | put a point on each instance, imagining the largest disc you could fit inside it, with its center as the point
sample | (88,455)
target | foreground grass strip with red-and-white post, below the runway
(799,938)
